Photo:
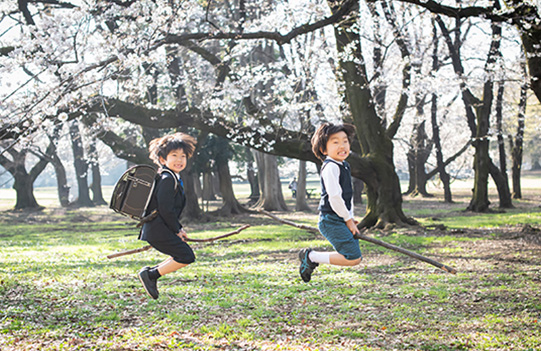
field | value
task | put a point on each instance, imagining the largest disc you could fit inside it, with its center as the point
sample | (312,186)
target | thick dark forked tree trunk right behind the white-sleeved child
(384,205)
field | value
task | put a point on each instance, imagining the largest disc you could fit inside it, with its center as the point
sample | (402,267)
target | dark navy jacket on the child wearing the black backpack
(170,202)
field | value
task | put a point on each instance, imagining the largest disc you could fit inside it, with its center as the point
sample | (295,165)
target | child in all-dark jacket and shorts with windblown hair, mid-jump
(165,233)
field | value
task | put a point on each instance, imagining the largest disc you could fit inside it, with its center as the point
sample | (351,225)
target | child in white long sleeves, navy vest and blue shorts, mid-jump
(331,144)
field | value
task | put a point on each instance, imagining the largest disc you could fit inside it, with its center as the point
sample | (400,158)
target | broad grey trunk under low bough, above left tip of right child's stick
(272,198)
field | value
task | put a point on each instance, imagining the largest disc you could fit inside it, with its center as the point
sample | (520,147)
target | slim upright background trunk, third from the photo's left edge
(81,165)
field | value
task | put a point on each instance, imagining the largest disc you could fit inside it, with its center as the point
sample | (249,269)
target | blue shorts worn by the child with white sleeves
(334,229)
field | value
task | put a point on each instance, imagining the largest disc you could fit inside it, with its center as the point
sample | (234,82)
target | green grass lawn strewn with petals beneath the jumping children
(58,291)
